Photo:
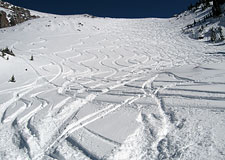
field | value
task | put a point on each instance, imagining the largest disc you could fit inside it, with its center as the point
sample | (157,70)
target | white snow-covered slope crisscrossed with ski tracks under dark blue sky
(113,89)
